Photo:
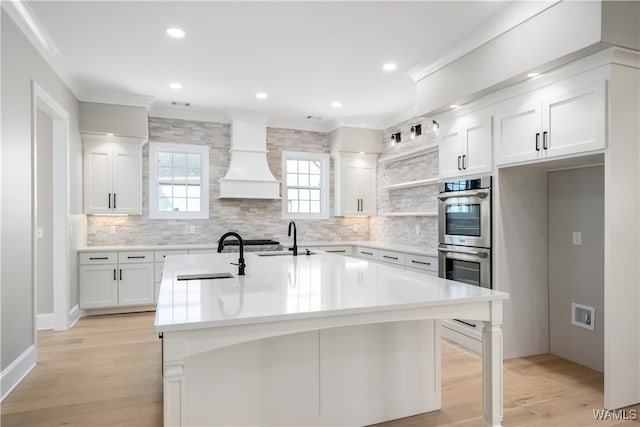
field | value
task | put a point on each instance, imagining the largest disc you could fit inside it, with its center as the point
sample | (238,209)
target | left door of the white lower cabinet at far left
(98,286)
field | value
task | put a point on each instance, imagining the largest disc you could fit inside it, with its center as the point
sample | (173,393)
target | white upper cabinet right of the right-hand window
(355,184)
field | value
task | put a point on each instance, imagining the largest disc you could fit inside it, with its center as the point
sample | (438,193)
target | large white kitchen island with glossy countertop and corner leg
(316,339)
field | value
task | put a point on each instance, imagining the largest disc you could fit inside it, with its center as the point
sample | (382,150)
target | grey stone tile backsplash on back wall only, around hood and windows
(253,219)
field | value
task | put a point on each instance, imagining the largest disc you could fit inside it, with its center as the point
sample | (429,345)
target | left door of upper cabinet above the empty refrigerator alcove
(517,125)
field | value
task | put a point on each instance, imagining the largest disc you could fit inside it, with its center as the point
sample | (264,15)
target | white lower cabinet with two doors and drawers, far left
(116,279)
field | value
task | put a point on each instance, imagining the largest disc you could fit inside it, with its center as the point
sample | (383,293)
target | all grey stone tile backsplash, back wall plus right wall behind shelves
(255,219)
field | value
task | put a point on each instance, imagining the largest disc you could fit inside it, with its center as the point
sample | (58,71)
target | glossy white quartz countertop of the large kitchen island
(285,287)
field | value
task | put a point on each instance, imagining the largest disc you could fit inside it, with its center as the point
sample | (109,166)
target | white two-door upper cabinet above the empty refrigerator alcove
(556,121)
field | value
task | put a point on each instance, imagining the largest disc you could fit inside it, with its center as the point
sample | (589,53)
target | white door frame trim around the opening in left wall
(60,119)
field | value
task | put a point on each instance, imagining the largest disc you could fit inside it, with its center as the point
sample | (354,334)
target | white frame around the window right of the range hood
(324,184)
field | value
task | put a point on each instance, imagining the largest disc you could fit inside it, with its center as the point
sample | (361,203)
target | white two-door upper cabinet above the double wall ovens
(466,146)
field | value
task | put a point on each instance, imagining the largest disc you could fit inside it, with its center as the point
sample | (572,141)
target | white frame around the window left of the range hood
(203,150)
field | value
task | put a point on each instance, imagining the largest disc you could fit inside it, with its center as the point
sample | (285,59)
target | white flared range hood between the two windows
(249,176)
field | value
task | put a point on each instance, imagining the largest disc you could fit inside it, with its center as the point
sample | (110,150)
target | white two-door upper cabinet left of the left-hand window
(112,177)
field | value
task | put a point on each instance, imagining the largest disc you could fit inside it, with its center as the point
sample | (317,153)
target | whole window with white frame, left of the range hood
(178,181)
